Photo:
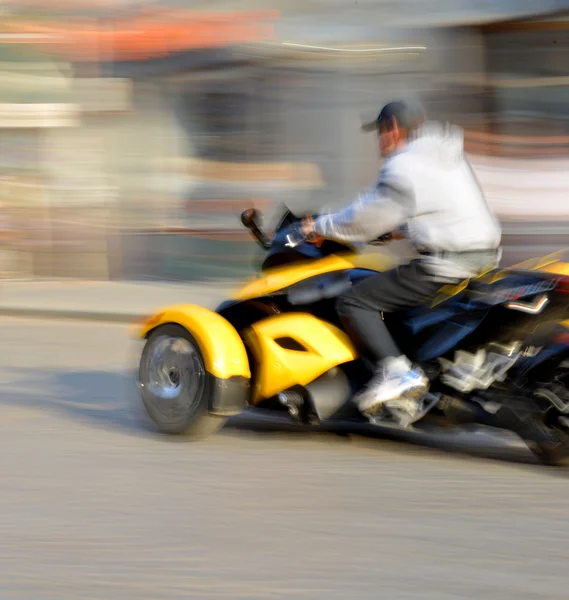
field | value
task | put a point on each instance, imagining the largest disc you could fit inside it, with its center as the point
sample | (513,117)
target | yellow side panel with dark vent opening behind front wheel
(278,368)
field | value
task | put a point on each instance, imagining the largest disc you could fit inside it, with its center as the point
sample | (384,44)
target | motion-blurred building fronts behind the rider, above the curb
(134,133)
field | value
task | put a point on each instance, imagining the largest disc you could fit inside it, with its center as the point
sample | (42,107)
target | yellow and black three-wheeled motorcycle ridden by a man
(495,349)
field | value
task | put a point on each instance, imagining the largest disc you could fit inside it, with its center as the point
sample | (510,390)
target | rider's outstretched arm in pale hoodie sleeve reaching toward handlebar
(387,206)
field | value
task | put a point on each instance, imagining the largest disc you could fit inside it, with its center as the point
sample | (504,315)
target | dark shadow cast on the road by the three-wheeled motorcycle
(110,400)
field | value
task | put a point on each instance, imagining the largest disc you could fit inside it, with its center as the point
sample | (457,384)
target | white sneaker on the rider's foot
(398,387)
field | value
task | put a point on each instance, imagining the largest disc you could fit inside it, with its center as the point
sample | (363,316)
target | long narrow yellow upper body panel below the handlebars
(280,278)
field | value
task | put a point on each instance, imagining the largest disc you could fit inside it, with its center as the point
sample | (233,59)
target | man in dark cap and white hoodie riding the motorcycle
(428,191)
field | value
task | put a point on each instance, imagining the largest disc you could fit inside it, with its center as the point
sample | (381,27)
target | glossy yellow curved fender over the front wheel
(223,351)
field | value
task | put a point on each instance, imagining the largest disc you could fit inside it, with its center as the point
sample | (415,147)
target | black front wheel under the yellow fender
(175,388)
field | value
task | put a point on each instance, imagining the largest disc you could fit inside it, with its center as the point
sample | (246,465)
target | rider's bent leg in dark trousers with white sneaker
(360,310)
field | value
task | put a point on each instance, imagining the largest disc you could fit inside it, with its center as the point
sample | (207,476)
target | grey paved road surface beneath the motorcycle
(93,505)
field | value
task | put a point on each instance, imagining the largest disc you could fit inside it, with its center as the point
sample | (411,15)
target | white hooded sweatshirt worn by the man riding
(429,191)
